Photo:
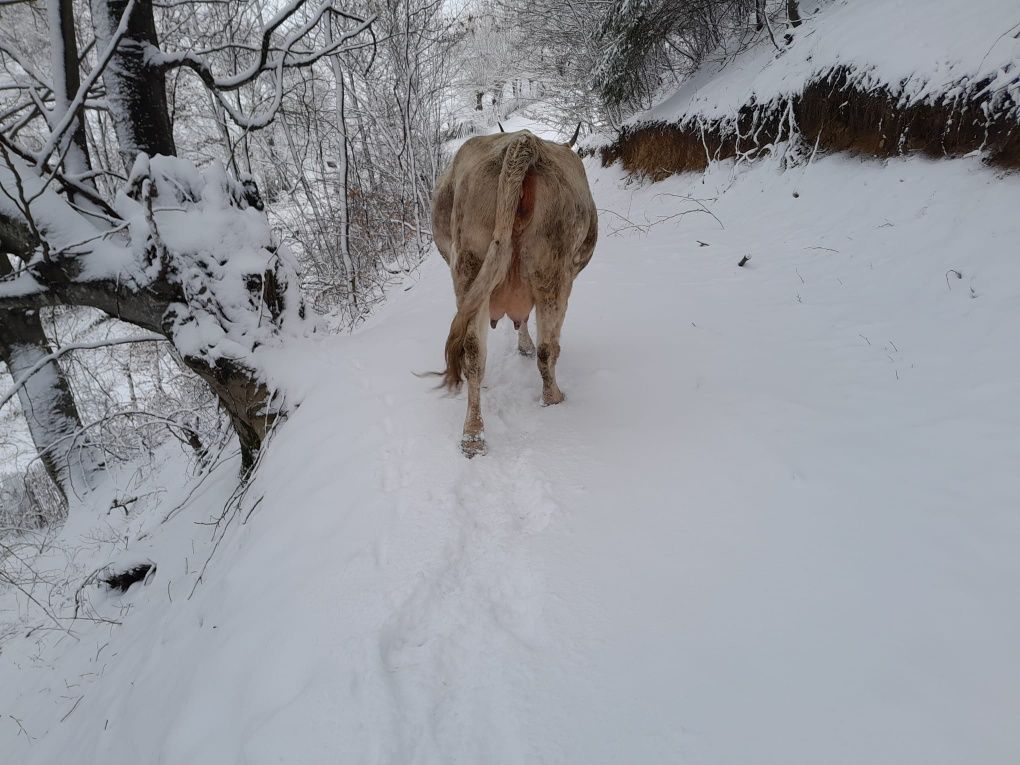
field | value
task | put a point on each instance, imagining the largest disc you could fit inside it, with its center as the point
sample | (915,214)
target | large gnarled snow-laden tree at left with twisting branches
(217,299)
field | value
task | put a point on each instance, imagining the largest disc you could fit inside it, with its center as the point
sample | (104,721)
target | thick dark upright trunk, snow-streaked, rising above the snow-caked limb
(136,90)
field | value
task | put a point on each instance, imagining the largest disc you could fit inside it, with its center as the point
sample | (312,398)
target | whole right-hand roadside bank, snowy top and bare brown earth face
(872,78)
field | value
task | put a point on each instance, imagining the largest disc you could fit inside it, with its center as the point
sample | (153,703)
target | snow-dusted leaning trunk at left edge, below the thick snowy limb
(46,399)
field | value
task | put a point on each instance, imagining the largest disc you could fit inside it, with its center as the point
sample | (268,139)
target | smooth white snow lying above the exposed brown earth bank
(919,50)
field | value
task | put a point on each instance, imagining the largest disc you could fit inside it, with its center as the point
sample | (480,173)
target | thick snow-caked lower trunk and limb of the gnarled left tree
(202,270)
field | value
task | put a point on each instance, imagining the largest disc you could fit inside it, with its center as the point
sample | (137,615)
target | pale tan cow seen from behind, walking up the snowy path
(515,219)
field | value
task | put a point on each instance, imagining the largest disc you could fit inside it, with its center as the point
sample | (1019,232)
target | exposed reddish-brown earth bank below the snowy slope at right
(837,115)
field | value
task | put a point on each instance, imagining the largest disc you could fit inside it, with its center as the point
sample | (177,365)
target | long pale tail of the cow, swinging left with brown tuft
(522,155)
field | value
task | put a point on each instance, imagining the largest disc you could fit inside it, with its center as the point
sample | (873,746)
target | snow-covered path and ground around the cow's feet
(776,521)
